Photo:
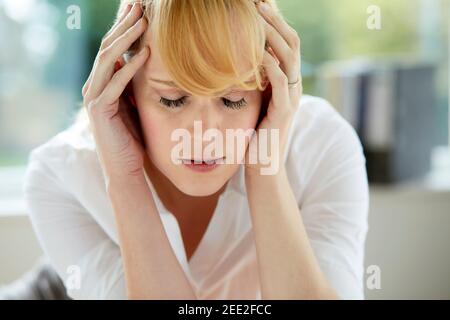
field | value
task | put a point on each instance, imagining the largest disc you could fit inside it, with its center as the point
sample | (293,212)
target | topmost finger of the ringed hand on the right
(276,20)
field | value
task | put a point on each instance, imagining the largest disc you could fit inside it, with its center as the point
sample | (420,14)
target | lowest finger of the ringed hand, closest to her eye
(279,82)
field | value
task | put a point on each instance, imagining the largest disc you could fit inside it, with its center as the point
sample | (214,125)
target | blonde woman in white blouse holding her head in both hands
(120,214)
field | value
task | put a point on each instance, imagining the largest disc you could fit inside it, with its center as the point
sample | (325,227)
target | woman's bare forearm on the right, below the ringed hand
(287,266)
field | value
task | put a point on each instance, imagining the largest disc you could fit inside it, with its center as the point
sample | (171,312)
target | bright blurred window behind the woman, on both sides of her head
(43,64)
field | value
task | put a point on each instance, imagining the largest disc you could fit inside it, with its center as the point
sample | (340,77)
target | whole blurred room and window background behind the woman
(384,65)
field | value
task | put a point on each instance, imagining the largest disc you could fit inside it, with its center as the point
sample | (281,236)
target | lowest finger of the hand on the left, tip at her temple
(121,78)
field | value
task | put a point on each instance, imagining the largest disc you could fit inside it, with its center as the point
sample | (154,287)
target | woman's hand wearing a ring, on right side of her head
(282,69)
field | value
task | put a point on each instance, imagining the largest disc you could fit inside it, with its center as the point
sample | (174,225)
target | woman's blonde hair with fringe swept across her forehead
(202,41)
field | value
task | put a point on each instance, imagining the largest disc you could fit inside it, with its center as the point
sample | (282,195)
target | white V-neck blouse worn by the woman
(74,221)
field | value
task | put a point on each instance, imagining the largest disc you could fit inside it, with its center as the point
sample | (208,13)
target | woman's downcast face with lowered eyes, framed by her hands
(160,121)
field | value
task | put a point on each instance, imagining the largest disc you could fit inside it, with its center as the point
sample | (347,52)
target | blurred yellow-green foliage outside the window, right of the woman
(335,30)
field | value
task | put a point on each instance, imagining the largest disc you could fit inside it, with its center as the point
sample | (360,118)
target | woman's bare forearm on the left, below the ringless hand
(152,270)
